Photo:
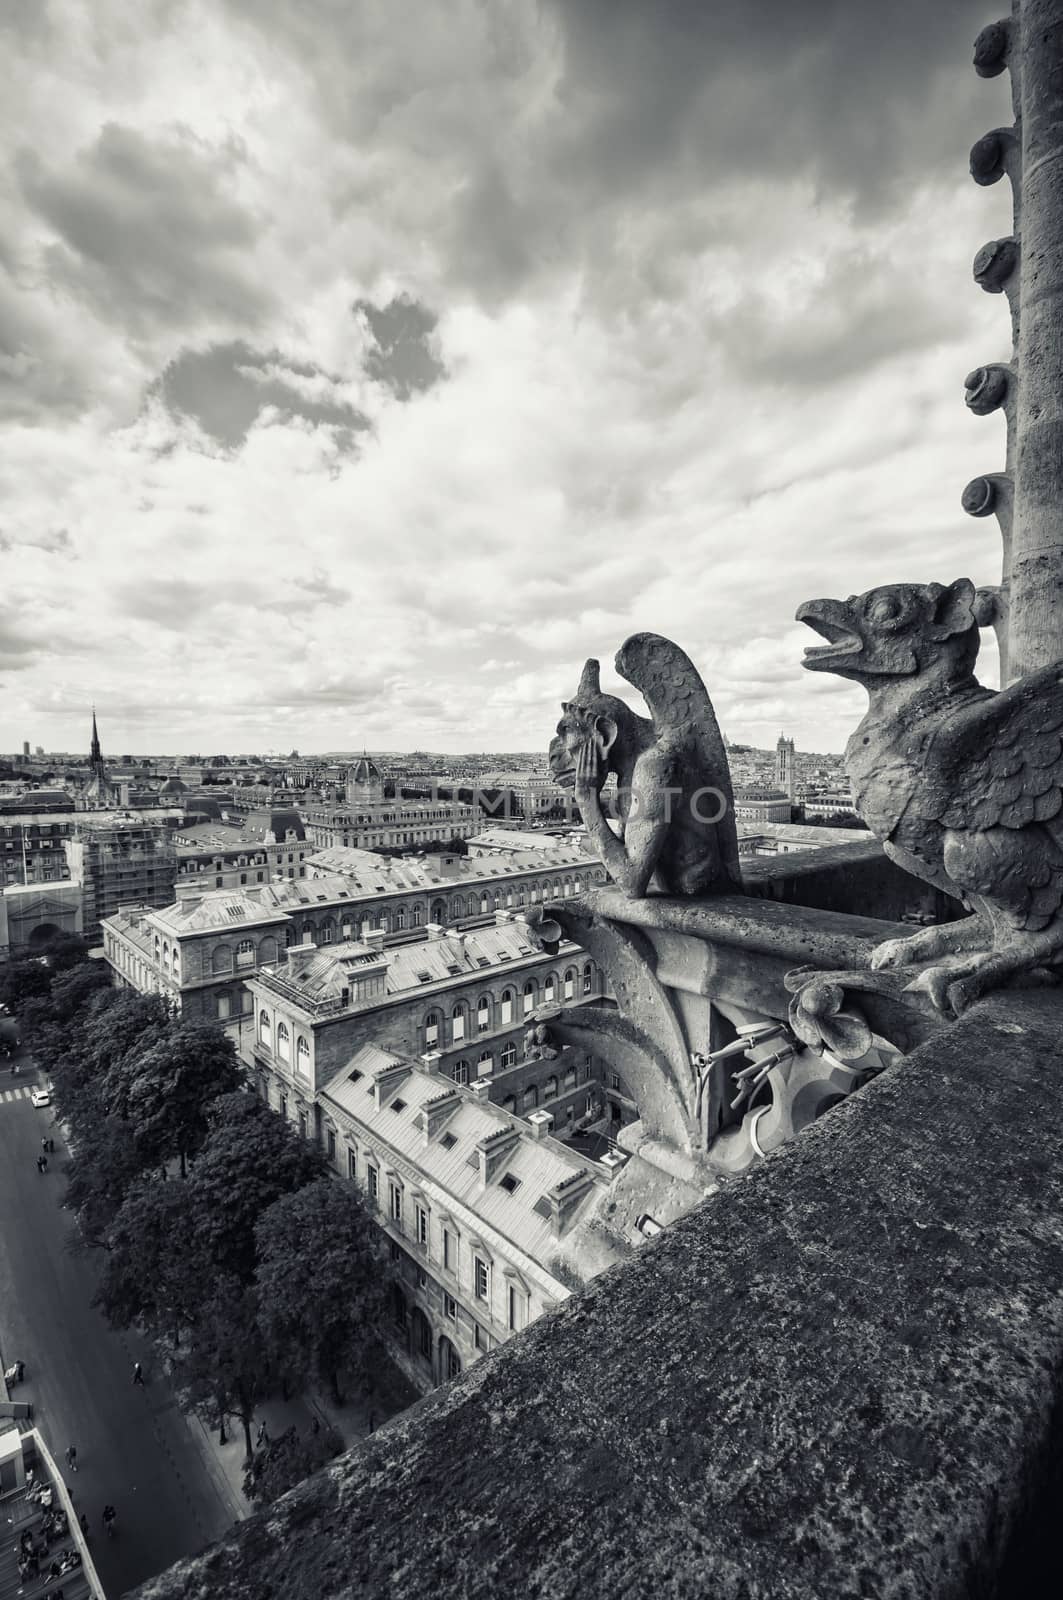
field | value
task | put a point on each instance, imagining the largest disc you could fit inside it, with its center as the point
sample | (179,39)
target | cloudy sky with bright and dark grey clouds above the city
(367,364)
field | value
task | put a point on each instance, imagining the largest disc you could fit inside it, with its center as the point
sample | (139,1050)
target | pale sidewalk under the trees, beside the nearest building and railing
(225,1463)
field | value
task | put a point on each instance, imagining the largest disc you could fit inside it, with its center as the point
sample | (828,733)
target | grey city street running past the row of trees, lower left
(135,1449)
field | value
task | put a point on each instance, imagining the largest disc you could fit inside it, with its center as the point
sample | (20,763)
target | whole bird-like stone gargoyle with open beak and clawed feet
(963,785)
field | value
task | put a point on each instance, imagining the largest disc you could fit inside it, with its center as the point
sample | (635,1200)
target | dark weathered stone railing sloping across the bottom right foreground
(840,1377)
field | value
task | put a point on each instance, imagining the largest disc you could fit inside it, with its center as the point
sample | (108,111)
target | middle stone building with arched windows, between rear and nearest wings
(460,999)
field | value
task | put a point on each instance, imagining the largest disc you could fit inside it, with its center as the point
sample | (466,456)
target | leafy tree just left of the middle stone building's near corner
(169,1086)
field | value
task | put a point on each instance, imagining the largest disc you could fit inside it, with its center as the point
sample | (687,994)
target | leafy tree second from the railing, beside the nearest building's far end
(251,1159)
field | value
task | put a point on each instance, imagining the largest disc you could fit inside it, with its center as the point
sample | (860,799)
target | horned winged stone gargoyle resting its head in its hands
(673,783)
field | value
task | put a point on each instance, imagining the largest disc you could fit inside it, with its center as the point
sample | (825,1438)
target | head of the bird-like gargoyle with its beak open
(897,631)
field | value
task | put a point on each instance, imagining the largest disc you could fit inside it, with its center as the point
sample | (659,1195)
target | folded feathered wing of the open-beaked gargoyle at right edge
(1000,762)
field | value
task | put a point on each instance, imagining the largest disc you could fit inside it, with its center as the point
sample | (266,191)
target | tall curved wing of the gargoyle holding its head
(683,711)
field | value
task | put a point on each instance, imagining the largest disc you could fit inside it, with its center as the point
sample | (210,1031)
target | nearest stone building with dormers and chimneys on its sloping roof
(489,1218)
